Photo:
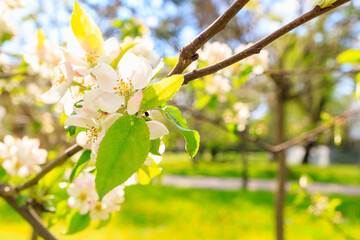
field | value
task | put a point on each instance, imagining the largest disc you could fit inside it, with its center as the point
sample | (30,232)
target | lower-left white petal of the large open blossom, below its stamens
(109,102)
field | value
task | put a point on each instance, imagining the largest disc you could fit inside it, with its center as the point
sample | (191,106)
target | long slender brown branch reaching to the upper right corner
(258,46)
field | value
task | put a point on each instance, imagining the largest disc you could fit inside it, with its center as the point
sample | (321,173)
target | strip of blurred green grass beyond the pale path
(229,165)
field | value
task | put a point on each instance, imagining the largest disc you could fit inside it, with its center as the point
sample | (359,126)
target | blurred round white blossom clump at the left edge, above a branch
(22,157)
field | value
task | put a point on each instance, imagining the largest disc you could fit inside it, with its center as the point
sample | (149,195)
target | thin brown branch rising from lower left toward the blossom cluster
(47,168)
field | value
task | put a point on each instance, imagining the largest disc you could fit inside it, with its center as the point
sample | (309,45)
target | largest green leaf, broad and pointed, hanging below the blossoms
(121,153)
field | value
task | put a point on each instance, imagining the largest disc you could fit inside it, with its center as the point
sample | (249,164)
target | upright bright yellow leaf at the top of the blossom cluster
(86,31)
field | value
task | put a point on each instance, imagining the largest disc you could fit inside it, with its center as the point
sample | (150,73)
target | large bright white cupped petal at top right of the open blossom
(138,70)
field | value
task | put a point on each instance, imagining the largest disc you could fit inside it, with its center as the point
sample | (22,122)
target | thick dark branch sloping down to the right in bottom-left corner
(28,214)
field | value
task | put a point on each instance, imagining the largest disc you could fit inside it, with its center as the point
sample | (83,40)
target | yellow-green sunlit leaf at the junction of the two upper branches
(161,92)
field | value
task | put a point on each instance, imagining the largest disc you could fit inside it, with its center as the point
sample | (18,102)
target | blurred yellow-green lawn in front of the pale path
(162,213)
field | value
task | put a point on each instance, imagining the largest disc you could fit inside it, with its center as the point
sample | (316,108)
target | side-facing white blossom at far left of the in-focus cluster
(61,82)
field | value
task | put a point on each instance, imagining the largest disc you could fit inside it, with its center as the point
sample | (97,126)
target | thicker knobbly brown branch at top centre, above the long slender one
(188,53)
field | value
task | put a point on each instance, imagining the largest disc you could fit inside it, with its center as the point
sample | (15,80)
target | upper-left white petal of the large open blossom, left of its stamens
(106,77)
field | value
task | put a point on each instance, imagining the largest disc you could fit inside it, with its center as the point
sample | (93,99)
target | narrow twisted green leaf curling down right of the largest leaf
(192,137)
